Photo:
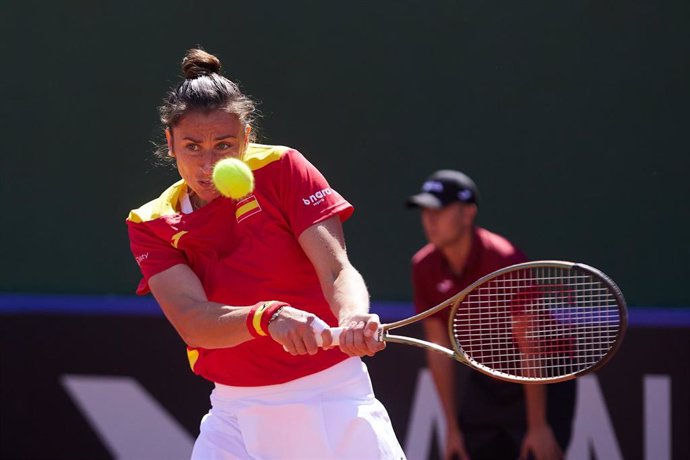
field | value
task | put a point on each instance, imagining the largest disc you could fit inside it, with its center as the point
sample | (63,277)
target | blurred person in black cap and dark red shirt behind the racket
(486,418)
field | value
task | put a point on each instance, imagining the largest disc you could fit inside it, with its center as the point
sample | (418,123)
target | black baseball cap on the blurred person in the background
(443,188)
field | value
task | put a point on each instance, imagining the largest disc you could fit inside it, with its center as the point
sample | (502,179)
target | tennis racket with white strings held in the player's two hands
(535,322)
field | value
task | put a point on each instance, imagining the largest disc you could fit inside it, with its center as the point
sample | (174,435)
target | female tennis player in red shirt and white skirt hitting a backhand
(242,281)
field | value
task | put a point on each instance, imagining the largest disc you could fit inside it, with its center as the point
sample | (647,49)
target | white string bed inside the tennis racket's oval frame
(542,322)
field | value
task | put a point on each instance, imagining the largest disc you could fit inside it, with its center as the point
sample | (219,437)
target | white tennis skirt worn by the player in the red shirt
(332,414)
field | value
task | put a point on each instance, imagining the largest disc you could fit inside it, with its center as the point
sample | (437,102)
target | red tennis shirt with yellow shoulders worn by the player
(245,252)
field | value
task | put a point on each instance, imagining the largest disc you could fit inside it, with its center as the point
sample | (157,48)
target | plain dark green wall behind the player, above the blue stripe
(571,116)
